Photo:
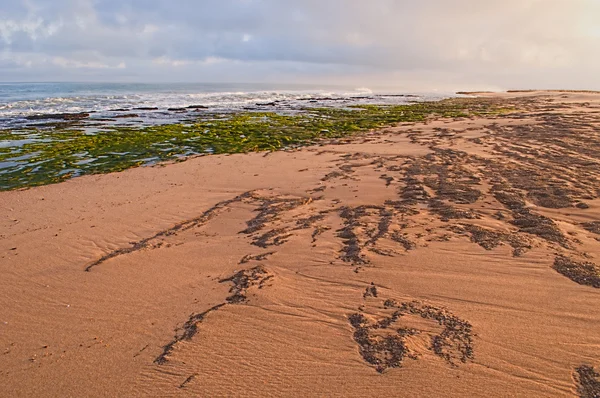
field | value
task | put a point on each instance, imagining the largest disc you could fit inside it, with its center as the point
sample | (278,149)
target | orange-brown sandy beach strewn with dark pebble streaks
(453,258)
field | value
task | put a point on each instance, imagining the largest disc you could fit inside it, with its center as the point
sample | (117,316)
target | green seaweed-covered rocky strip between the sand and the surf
(38,156)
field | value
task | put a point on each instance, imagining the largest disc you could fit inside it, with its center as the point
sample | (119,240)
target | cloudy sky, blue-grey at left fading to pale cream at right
(424,44)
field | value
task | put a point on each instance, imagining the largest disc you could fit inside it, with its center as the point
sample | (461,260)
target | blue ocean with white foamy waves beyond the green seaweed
(18,101)
